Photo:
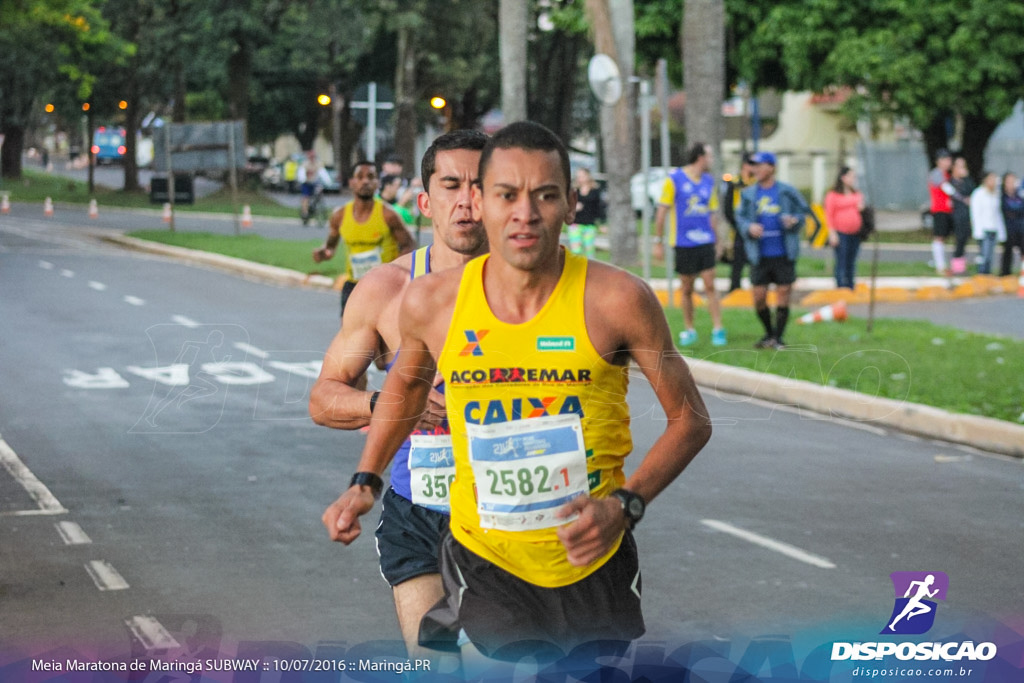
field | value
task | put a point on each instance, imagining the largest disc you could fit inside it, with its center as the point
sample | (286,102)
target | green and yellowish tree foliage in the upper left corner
(45,45)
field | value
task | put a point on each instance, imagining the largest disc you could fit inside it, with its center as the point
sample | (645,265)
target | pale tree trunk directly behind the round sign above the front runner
(618,141)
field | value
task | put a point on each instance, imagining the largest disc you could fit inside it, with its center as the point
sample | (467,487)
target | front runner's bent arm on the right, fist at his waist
(646,336)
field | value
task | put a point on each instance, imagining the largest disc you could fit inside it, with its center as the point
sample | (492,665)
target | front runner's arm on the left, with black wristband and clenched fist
(403,399)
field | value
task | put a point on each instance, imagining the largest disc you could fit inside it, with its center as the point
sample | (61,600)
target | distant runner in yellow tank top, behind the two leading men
(373,233)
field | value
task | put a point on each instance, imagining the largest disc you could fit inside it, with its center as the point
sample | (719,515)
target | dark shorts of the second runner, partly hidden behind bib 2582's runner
(408,539)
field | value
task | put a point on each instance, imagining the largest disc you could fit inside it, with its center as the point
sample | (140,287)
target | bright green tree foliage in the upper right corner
(926,61)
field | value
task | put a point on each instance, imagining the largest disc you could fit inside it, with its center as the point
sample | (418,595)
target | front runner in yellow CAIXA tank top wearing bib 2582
(509,314)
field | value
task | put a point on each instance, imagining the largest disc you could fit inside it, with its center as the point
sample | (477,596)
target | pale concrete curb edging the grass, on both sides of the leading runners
(985,434)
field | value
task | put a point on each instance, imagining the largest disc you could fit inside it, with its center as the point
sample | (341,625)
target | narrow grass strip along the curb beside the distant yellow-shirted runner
(292,254)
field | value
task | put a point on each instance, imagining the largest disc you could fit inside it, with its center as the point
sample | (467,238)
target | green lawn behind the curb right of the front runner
(904,360)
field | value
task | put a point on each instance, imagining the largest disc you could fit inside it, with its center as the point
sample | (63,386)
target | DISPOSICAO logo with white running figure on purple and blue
(914,614)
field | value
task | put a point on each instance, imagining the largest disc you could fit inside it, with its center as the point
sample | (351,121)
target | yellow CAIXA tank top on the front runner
(503,377)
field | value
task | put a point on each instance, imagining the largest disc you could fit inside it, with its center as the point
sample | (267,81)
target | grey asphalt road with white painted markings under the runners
(163,409)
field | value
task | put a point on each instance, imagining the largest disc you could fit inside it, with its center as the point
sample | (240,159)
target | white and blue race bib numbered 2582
(526,471)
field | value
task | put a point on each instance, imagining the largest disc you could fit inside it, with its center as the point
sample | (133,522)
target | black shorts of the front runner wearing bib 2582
(507,618)
